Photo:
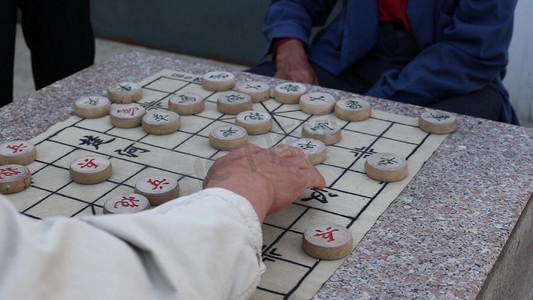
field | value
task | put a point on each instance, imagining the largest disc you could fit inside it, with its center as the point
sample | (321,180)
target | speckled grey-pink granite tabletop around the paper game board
(438,240)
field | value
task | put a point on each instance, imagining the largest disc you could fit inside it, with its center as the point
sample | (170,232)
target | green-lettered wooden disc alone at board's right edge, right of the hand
(387,167)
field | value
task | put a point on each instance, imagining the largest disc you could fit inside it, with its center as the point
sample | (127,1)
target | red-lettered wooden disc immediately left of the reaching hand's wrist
(157,188)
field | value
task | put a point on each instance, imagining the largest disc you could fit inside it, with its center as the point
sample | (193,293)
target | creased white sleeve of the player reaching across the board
(203,246)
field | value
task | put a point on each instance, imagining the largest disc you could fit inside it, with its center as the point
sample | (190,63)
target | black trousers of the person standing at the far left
(58,34)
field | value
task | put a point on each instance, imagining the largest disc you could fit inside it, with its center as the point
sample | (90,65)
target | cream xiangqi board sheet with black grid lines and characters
(350,198)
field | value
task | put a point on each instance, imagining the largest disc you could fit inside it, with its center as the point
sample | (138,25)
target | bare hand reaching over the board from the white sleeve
(270,179)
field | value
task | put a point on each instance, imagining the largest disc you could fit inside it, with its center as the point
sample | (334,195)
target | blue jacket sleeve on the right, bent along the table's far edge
(469,52)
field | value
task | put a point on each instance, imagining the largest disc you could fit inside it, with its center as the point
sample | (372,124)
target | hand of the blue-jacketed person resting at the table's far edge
(292,63)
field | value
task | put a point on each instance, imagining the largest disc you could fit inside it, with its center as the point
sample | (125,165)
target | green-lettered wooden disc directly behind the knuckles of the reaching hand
(227,137)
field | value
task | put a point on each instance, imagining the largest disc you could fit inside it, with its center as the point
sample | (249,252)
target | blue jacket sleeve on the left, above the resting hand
(286,18)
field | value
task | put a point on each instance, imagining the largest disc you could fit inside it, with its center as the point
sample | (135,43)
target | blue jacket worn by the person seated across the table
(464,44)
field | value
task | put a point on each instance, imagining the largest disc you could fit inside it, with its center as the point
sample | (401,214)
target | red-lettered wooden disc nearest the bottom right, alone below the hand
(327,241)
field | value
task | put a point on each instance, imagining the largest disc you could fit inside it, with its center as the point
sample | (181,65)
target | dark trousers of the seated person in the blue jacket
(395,49)
